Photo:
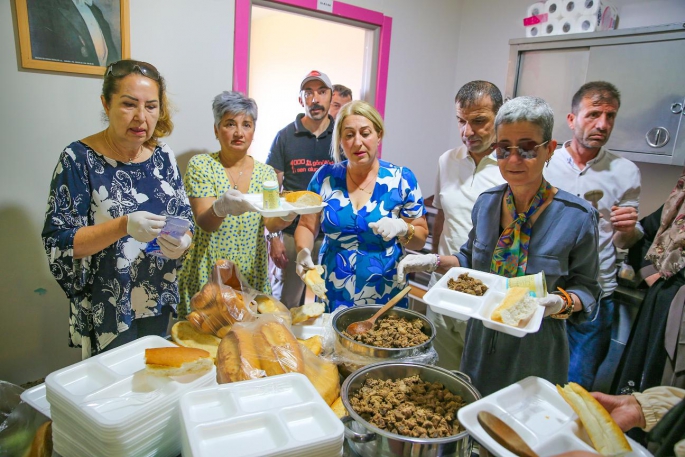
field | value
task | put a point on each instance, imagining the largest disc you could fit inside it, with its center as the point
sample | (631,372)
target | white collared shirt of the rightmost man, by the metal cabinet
(617,177)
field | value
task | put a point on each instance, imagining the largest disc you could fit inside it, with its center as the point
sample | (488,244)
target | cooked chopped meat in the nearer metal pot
(409,407)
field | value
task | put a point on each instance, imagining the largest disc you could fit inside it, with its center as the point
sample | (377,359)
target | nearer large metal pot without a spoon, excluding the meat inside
(370,441)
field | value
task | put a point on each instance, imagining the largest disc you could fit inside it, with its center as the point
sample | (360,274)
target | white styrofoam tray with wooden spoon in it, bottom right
(536,411)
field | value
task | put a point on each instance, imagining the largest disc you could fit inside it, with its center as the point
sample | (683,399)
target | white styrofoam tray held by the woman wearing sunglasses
(464,306)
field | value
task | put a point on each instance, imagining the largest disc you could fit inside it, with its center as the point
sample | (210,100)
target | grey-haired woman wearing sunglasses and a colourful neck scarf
(520,228)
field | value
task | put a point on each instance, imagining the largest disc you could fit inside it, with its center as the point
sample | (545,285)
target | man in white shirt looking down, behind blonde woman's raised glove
(463,173)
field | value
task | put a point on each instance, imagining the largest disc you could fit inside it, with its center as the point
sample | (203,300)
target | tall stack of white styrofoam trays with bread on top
(109,406)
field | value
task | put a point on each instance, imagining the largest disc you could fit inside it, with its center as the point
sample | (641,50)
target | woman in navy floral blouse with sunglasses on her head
(110,195)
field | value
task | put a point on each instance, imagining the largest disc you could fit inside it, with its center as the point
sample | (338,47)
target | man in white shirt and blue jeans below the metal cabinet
(583,165)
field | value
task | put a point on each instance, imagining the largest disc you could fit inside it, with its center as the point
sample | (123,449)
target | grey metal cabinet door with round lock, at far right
(651,79)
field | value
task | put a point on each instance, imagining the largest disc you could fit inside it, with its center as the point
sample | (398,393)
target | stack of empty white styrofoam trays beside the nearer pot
(280,415)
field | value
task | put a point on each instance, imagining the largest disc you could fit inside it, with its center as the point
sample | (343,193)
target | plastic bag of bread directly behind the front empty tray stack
(258,348)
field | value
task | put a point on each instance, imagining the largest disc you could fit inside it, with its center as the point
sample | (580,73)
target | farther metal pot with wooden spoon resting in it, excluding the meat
(359,313)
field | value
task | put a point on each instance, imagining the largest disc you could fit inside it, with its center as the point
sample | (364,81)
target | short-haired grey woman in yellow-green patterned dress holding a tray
(228,226)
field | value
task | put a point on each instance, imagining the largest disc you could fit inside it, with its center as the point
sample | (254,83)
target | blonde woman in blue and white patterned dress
(375,210)
